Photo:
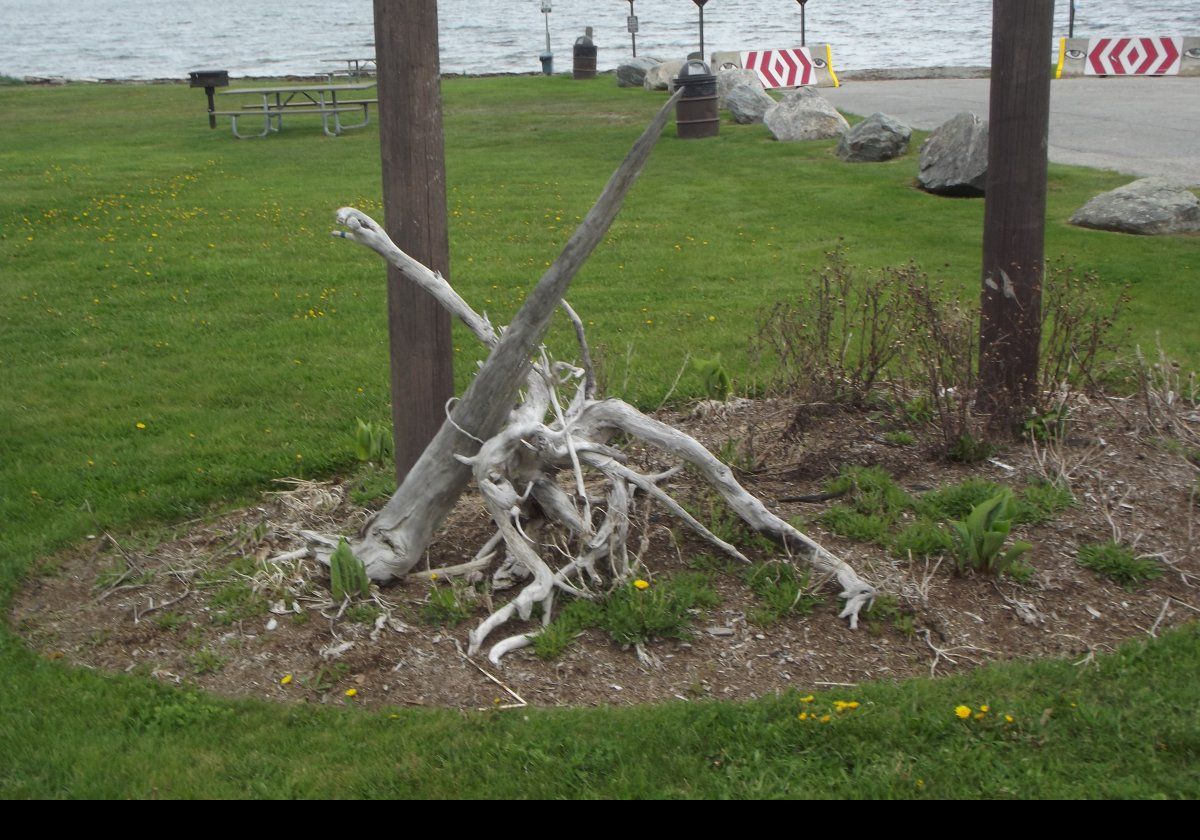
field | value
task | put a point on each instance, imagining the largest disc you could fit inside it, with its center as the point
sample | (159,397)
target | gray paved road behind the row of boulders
(1145,127)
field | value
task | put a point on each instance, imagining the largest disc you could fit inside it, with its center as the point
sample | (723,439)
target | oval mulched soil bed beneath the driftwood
(185,610)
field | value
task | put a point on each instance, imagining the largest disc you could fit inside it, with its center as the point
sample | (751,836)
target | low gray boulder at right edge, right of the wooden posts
(1153,206)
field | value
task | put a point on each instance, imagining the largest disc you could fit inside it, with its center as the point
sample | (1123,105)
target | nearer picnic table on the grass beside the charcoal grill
(309,99)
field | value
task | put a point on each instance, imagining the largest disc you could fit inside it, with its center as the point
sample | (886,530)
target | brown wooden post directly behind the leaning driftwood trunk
(415,196)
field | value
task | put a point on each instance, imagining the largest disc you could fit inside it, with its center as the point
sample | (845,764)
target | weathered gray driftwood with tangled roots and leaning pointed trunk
(536,440)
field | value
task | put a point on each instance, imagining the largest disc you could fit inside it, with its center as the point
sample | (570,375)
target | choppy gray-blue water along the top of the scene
(161,39)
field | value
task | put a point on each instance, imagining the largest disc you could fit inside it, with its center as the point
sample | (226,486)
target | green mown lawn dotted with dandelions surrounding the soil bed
(179,329)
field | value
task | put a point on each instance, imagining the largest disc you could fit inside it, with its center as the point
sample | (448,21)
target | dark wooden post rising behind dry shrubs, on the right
(1015,209)
